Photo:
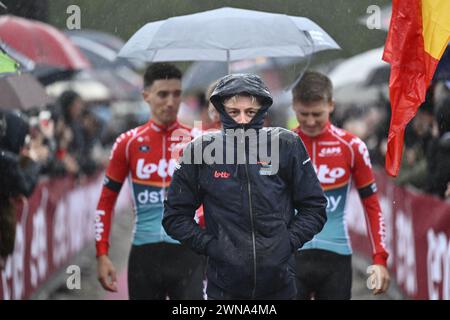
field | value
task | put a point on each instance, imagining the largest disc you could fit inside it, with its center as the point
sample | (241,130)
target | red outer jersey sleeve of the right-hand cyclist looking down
(365,184)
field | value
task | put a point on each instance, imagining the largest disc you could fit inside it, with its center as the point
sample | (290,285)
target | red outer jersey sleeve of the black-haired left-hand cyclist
(116,173)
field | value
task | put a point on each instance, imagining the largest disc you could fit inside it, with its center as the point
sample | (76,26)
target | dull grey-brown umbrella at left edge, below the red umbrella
(22,92)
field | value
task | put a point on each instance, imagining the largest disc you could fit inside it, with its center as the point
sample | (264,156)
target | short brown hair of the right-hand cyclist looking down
(313,87)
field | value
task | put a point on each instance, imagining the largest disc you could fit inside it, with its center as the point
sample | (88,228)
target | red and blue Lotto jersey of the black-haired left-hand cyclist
(146,156)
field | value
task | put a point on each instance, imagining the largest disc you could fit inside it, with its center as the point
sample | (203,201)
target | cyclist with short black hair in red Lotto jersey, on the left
(158,266)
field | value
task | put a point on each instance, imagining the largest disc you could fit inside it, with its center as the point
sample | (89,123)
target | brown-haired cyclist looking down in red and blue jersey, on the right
(340,158)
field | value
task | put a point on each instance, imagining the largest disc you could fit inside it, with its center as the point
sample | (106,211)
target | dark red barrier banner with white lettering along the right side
(417,238)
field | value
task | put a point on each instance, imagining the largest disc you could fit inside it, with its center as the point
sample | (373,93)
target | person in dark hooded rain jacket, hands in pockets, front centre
(250,201)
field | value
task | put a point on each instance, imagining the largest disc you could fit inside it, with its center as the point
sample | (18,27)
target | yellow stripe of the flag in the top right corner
(436,26)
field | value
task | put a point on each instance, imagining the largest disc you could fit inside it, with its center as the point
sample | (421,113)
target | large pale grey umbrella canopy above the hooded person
(227,34)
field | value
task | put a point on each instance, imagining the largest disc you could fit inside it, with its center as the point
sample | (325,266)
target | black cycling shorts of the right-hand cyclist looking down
(323,275)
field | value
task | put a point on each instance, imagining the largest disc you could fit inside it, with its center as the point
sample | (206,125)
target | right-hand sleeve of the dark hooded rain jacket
(309,199)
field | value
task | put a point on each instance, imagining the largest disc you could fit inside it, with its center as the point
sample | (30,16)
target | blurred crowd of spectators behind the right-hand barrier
(426,156)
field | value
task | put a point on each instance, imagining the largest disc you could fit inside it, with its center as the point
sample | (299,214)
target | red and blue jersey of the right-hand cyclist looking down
(340,157)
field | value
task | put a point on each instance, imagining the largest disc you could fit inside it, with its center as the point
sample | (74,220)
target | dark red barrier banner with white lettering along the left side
(53,225)
